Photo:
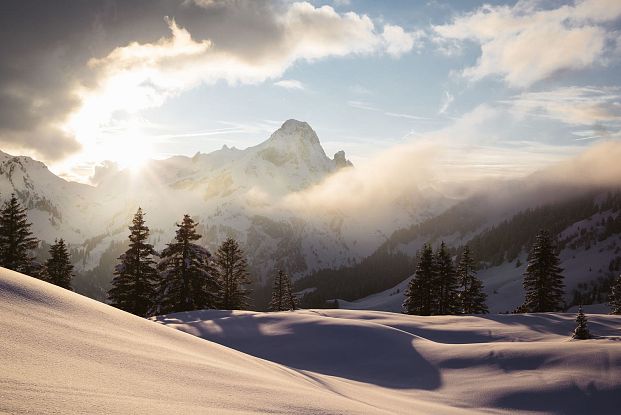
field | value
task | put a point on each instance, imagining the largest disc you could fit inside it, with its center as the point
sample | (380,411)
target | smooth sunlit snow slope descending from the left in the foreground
(63,353)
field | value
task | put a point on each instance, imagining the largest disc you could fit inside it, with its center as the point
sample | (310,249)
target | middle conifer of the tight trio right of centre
(445,283)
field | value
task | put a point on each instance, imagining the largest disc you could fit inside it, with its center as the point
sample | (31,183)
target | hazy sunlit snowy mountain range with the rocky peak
(230,192)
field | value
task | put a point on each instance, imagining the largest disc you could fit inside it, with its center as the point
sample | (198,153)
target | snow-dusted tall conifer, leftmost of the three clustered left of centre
(135,276)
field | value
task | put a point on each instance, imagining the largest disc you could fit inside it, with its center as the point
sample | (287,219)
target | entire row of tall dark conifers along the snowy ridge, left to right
(185,276)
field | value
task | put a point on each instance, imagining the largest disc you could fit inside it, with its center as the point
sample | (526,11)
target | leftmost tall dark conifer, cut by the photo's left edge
(16,240)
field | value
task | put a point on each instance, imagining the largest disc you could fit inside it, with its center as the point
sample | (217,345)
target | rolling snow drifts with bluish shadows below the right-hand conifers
(406,364)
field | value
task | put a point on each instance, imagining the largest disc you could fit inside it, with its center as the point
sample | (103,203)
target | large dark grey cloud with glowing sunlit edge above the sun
(121,56)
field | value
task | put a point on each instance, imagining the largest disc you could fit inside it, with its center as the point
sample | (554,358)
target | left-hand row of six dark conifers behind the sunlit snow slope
(184,276)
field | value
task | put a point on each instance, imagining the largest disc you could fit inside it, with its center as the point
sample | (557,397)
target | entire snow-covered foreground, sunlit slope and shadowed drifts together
(64,353)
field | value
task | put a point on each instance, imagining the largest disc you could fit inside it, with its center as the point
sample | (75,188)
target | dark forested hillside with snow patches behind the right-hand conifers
(588,226)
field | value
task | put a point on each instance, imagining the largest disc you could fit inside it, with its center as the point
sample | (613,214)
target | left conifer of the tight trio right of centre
(420,292)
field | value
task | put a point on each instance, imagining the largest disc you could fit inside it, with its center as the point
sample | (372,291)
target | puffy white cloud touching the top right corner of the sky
(526,43)
